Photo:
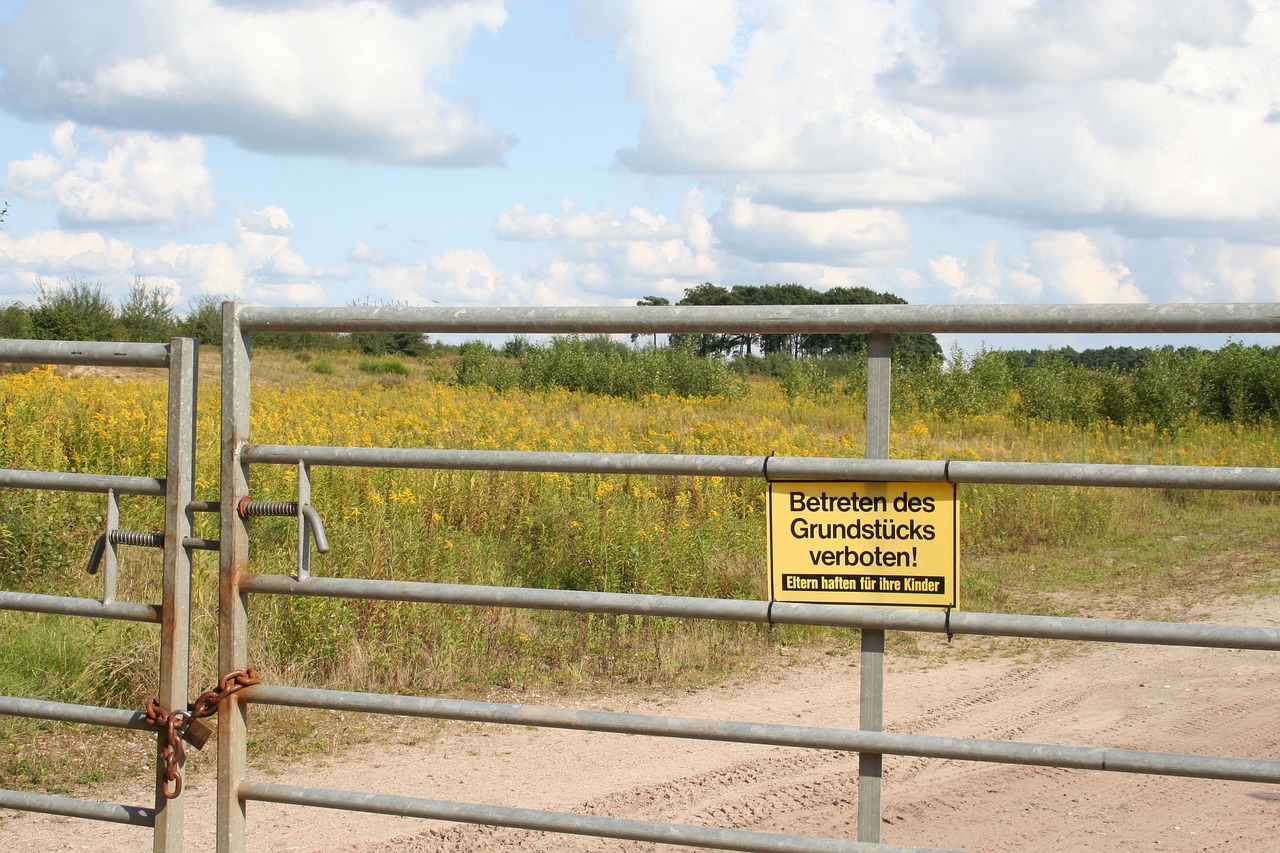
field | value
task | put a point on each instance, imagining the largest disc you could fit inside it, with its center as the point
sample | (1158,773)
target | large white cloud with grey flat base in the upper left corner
(345,79)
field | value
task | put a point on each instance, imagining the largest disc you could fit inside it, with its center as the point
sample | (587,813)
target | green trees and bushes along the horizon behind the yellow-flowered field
(1160,386)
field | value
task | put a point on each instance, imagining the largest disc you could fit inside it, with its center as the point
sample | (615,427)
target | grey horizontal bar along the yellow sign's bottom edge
(1108,631)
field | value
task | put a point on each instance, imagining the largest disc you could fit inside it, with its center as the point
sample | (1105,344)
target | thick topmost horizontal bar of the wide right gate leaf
(842,320)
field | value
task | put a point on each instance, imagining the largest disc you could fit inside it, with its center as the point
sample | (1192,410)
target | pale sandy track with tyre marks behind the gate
(1176,700)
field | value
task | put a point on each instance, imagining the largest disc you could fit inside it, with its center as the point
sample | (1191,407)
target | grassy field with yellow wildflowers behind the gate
(1081,551)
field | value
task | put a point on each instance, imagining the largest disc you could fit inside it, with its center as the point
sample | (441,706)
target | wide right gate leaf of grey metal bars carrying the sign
(867,740)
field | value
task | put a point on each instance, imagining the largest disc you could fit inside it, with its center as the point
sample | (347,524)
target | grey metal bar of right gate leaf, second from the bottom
(1043,755)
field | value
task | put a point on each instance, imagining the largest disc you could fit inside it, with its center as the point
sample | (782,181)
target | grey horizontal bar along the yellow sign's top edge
(778,468)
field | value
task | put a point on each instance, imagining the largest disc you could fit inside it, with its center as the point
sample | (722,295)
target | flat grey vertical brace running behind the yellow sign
(871,706)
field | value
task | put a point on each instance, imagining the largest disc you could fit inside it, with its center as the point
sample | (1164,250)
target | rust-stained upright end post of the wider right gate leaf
(234,563)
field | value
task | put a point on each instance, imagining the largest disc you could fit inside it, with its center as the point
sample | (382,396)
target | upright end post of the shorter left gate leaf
(176,612)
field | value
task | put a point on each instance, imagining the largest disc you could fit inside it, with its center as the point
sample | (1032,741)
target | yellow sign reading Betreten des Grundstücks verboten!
(865,544)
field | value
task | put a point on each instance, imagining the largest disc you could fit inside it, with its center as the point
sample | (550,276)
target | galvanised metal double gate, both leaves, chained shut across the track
(240,583)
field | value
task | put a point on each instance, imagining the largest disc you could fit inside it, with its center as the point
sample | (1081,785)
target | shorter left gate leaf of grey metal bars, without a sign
(180,359)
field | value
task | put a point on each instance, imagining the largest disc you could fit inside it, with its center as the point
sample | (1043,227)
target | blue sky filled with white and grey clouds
(490,153)
